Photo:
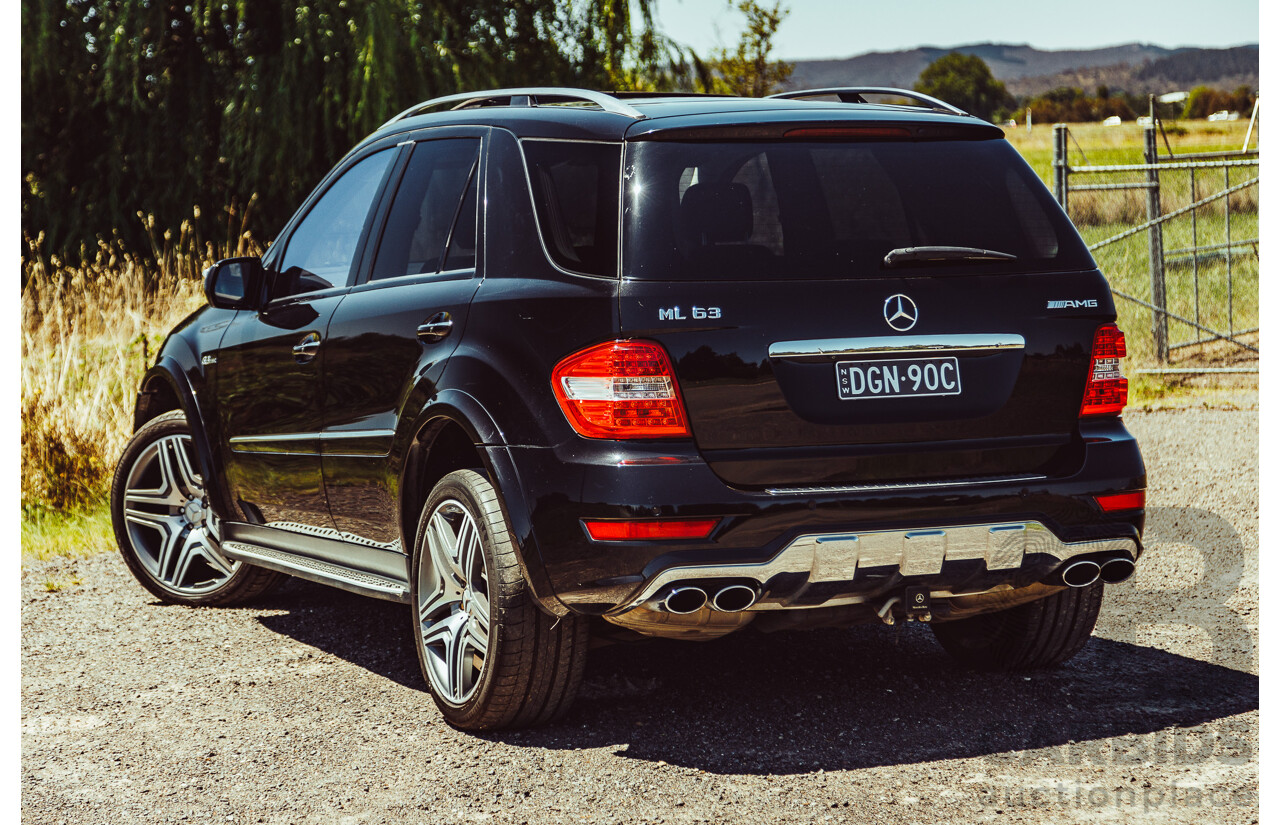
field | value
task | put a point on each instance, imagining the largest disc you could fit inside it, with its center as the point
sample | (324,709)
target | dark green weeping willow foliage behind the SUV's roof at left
(158,107)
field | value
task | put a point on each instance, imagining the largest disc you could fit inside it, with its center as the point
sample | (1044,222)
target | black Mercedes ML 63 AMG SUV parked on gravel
(554,364)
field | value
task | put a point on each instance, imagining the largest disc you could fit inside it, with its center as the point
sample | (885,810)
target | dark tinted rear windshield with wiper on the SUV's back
(801,210)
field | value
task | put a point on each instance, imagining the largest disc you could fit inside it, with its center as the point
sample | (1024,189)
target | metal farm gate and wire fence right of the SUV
(1178,239)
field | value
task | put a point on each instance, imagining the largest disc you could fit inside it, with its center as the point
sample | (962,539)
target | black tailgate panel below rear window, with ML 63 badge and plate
(807,383)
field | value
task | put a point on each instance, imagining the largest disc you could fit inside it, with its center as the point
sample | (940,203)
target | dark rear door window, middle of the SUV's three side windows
(429,219)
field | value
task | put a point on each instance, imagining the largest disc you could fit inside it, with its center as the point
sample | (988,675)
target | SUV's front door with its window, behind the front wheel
(269,369)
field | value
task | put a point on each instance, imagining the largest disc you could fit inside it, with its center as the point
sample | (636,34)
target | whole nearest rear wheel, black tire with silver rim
(532,667)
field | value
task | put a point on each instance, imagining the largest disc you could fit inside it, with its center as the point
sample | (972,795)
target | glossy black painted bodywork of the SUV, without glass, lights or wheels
(757,421)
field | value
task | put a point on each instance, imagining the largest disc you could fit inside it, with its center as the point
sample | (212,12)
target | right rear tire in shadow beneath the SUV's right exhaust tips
(1041,634)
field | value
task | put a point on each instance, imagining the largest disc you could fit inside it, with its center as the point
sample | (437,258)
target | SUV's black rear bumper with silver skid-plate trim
(831,546)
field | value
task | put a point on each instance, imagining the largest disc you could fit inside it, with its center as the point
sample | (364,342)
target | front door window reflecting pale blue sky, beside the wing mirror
(323,249)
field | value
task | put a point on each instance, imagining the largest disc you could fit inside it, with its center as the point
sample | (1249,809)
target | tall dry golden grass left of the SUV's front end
(89,333)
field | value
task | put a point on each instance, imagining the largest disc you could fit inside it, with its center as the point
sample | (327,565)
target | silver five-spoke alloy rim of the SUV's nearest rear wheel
(454,603)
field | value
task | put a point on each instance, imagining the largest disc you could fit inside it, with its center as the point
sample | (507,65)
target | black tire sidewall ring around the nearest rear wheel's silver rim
(464,488)
